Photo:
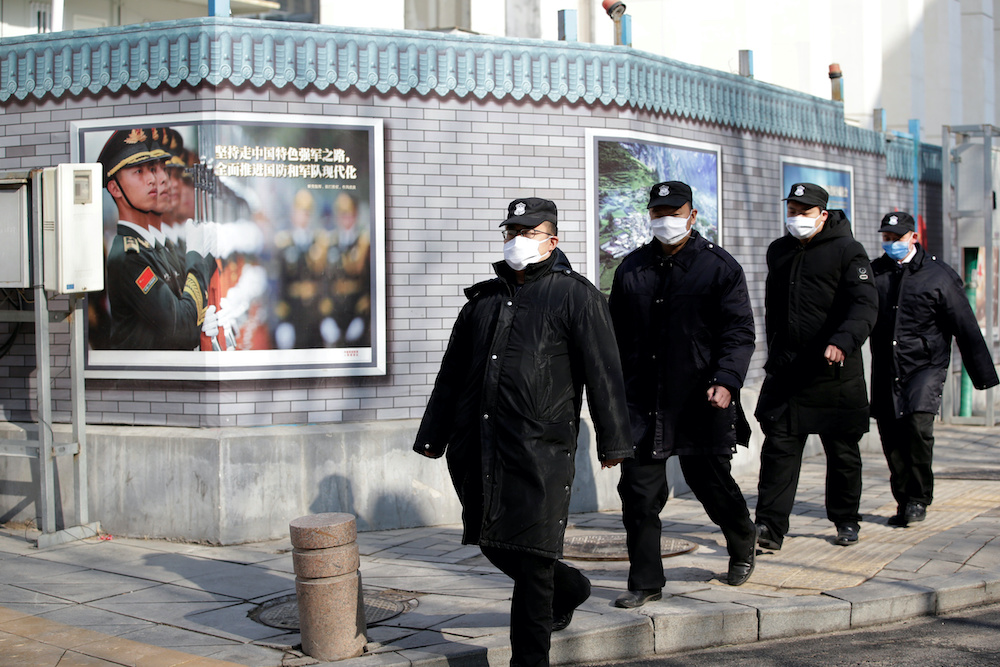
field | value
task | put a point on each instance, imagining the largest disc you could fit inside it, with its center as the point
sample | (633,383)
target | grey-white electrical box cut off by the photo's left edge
(15,239)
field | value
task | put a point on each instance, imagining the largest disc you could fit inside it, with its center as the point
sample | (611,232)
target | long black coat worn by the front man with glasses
(507,400)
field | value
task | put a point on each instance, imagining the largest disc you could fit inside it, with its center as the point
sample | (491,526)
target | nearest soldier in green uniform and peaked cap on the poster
(146,314)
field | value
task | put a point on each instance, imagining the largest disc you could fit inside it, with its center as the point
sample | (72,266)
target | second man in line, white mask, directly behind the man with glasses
(684,326)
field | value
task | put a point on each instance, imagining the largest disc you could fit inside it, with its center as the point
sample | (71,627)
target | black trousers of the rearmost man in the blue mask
(908,444)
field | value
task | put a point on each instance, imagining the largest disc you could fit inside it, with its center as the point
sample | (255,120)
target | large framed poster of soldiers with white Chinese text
(280,217)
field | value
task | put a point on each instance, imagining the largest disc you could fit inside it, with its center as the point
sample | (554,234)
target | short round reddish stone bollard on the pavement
(328,585)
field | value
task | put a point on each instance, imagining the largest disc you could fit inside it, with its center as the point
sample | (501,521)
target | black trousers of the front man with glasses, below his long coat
(541,586)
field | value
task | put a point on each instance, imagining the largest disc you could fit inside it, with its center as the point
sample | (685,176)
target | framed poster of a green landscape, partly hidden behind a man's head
(621,169)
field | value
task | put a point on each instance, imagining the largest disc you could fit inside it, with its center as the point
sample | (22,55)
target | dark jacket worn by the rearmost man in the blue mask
(921,307)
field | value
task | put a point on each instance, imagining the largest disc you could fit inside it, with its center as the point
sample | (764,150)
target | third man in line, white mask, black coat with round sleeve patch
(820,307)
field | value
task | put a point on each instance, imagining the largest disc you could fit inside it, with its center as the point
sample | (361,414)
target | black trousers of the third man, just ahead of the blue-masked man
(780,464)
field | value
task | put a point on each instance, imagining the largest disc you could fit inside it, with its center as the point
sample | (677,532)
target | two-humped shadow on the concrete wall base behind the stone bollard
(385,511)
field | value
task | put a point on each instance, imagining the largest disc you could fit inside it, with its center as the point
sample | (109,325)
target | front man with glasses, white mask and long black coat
(506,406)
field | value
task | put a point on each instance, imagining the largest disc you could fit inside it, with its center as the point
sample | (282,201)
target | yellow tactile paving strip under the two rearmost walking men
(806,564)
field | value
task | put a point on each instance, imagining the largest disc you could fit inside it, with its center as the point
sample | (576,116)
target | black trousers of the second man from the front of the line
(643,490)
